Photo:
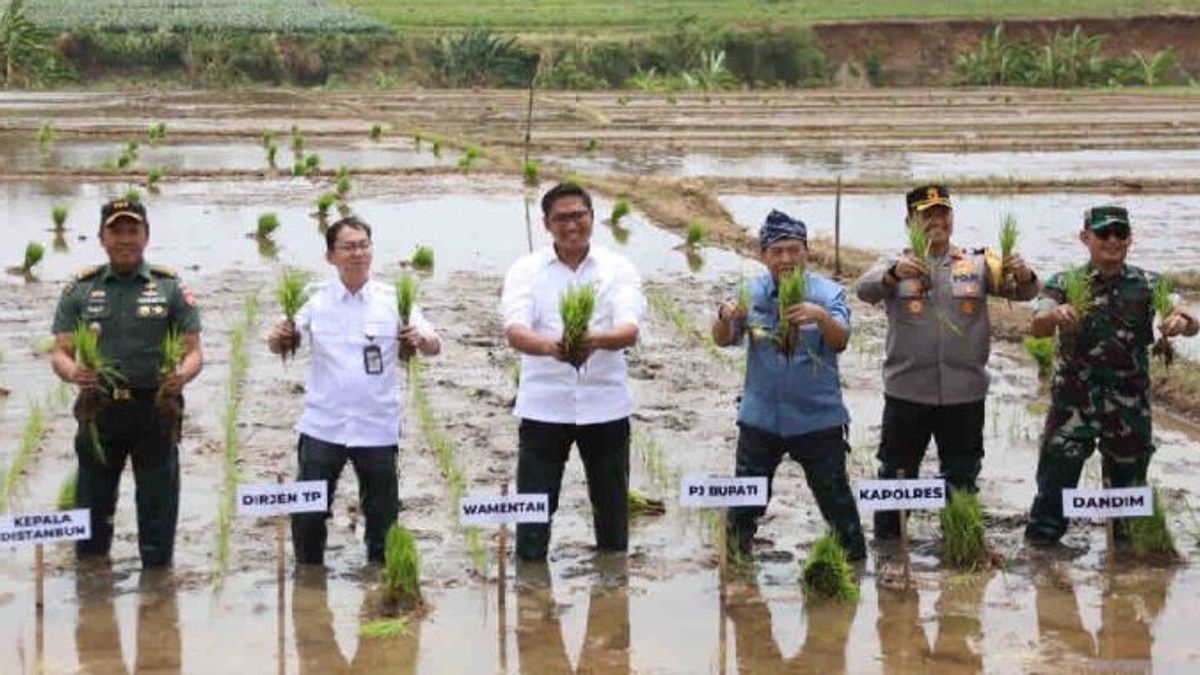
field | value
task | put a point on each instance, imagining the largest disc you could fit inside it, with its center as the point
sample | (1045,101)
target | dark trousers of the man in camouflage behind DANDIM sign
(1059,469)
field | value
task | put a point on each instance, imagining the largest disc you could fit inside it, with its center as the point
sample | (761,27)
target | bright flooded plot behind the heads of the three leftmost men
(202,228)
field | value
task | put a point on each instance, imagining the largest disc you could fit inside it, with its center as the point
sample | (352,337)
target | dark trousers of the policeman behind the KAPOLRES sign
(908,428)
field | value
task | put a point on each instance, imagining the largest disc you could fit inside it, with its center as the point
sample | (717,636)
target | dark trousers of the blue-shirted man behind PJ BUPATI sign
(823,455)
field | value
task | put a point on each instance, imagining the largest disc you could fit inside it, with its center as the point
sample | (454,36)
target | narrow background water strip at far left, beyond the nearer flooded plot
(212,157)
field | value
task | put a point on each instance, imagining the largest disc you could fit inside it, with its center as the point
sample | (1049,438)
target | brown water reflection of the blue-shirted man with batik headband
(827,631)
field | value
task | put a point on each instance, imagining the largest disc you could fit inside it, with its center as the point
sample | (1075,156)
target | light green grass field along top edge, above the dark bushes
(559,17)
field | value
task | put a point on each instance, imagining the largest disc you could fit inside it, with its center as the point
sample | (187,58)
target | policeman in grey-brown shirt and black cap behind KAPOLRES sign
(935,378)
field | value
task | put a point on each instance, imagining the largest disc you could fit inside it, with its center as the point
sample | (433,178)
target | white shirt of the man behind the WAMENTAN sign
(553,391)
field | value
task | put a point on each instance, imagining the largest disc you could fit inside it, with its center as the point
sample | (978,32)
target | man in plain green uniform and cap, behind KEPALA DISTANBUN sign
(131,306)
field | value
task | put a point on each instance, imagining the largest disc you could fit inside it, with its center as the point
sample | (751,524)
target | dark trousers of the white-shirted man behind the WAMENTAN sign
(543,452)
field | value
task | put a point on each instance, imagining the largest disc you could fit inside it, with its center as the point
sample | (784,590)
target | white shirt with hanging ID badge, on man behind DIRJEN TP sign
(344,404)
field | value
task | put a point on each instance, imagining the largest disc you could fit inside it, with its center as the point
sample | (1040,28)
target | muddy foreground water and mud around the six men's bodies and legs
(661,611)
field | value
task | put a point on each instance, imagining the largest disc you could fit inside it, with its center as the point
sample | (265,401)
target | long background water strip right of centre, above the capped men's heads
(916,166)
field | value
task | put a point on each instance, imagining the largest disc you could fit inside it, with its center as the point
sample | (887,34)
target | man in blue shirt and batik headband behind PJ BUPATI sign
(793,398)
